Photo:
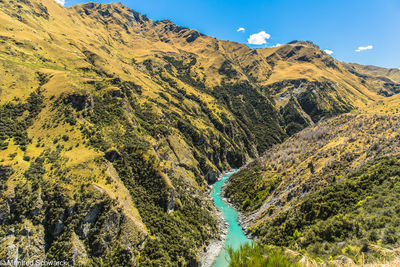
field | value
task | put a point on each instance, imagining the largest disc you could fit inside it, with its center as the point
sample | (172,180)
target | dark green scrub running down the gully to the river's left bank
(178,234)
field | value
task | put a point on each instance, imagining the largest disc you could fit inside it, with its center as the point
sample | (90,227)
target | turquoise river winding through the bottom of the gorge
(235,235)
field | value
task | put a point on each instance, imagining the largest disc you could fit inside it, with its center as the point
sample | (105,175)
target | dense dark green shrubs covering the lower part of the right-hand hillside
(349,217)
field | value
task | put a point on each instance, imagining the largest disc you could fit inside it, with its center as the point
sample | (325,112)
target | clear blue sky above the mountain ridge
(341,26)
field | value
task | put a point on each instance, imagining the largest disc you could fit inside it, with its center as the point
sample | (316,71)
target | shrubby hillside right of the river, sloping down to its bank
(330,190)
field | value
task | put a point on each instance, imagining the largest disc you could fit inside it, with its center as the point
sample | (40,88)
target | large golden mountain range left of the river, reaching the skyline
(112,125)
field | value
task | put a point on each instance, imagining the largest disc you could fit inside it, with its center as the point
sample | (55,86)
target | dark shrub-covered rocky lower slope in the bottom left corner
(40,213)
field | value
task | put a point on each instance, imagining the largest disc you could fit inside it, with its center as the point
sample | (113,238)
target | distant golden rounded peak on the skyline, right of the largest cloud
(302,66)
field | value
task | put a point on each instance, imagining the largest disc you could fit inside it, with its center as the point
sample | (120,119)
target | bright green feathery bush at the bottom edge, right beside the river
(253,254)
